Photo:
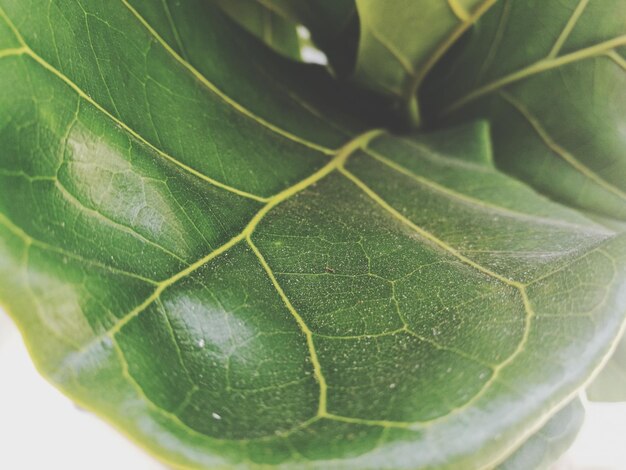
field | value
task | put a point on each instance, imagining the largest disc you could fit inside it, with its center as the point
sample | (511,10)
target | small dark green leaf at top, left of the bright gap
(273,29)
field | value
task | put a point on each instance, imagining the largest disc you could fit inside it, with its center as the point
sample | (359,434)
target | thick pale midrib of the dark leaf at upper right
(540,66)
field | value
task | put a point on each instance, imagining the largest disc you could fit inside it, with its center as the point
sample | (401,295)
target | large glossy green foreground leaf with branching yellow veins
(204,253)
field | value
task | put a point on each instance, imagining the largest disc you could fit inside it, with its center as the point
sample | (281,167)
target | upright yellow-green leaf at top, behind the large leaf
(401,40)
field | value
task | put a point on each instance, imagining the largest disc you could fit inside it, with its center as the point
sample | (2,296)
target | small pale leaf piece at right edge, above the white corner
(610,384)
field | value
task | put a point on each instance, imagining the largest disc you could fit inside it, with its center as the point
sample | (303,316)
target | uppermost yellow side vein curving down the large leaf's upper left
(227,99)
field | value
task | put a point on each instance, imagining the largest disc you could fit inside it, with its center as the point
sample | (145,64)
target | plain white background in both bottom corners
(41,429)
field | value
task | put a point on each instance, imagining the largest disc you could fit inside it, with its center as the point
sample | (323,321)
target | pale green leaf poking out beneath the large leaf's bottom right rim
(550,442)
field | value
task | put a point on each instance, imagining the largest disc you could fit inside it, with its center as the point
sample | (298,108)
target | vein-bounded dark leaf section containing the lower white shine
(221,351)
